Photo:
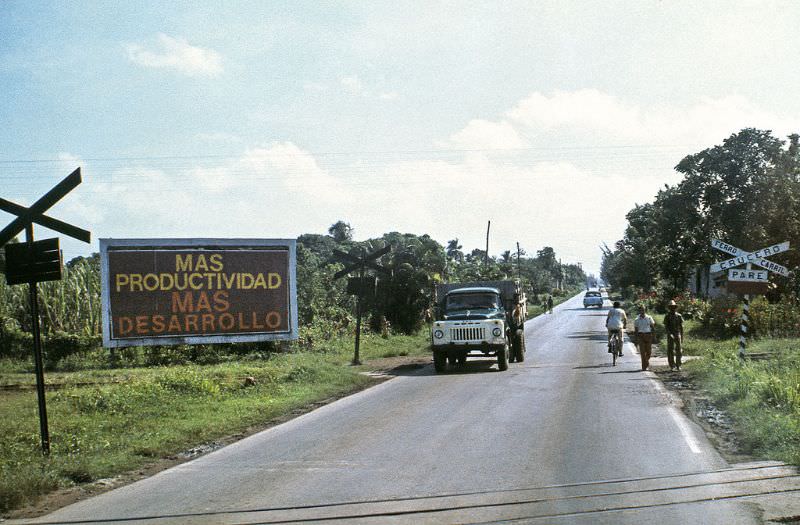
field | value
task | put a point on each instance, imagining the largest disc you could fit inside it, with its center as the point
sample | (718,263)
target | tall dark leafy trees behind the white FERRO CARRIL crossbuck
(745,192)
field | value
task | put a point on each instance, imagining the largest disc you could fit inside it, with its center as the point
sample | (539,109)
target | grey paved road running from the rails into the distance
(561,438)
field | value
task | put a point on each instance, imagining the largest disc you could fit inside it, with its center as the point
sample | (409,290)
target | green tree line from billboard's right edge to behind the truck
(404,298)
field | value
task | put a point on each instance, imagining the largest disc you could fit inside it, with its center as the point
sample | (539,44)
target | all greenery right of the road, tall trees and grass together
(665,255)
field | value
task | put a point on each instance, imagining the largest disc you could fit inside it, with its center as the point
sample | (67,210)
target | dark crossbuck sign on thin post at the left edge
(36,262)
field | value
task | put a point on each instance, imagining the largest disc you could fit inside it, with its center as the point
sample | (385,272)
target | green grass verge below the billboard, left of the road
(106,422)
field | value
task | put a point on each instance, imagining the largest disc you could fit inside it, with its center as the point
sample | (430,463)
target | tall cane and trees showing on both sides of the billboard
(401,301)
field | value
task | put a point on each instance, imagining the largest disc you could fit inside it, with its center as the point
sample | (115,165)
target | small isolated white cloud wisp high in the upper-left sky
(178,55)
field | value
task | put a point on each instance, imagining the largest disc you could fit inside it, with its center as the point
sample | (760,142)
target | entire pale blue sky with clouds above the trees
(273,119)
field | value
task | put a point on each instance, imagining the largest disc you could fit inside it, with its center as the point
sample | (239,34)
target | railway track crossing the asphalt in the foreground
(596,500)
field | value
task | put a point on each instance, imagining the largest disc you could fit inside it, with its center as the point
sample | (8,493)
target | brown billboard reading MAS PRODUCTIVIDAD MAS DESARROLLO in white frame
(197,291)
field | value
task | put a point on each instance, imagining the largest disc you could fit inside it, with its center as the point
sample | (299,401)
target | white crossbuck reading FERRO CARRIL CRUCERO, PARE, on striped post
(748,280)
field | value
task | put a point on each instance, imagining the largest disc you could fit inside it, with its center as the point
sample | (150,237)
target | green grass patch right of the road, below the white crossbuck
(761,396)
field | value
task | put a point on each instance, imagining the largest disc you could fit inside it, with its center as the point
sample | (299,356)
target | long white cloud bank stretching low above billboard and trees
(568,198)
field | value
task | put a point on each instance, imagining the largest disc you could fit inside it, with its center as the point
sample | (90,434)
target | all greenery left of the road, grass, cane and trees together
(114,412)
